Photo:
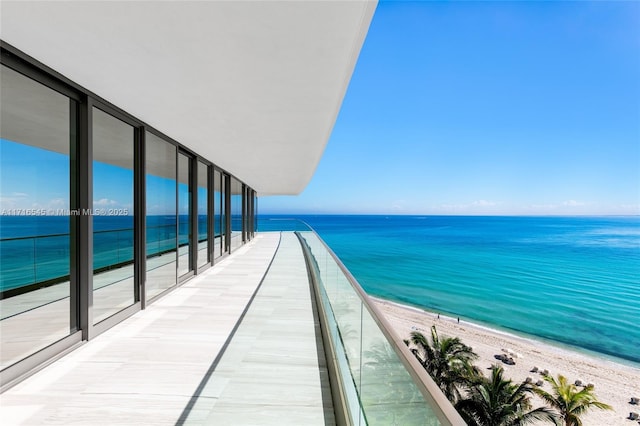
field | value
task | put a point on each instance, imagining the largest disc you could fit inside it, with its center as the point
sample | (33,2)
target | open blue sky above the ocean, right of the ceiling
(487,108)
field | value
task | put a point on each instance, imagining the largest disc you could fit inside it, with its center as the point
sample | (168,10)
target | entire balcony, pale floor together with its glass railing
(276,333)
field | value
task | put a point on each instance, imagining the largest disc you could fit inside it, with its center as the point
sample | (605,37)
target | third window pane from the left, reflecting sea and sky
(161,220)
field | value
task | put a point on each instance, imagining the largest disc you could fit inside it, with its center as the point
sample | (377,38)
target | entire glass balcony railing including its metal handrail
(377,375)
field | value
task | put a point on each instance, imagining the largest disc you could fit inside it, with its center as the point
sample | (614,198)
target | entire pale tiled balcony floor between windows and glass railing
(209,352)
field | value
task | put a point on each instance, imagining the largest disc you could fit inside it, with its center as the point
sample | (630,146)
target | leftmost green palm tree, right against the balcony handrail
(446,359)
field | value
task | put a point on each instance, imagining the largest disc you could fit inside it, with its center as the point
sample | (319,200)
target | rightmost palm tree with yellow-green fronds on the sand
(570,402)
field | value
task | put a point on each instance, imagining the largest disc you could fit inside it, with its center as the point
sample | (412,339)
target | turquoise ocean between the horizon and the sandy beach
(572,280)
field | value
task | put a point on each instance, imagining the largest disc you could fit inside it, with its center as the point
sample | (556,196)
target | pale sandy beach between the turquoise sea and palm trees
(615,383)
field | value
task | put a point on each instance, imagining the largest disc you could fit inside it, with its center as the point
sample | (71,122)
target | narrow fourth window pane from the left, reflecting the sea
(184,215)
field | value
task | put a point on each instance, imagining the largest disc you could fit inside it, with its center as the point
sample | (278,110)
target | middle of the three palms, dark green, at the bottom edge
(497,401)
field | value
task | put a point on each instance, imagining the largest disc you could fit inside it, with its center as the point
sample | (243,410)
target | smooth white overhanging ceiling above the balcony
(253,86)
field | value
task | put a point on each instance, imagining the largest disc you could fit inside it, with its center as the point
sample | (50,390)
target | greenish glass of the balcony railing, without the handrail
(379,389)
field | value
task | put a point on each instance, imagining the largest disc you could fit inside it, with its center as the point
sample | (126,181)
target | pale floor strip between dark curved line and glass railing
(271,373)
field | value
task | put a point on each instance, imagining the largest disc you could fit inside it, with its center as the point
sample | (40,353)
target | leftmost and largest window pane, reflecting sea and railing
(35,141)
